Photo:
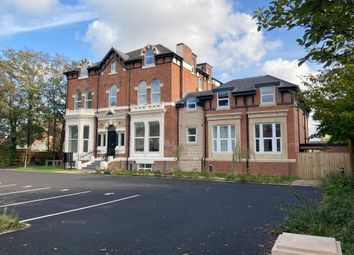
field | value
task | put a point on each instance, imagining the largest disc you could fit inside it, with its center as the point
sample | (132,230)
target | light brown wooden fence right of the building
(315,165)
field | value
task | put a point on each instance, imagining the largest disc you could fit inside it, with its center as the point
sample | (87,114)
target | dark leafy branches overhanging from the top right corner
(328,27)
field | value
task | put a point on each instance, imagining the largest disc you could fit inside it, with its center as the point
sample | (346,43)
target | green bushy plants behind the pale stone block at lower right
(333,216)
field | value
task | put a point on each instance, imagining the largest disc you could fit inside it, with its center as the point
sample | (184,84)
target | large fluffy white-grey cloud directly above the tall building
(218,34)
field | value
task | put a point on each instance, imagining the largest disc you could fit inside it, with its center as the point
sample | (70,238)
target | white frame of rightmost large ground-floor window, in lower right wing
(274,138)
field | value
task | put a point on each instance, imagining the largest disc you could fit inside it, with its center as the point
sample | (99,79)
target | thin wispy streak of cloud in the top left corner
(21,16)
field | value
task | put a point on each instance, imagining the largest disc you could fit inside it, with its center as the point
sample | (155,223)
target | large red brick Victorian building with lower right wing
(133,110)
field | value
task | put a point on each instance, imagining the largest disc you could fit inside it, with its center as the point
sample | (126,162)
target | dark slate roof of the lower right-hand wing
(249,85)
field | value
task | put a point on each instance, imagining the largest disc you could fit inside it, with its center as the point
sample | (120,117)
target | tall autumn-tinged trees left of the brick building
(32,94)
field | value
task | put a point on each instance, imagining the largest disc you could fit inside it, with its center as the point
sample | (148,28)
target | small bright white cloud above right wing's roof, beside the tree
(287,70)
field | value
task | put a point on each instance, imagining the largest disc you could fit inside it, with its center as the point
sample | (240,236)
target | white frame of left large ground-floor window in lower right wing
(218,139)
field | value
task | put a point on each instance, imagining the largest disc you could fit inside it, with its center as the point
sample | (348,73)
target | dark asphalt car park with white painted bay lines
(98,214)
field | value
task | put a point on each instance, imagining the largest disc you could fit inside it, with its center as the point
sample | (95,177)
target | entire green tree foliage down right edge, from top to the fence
(329,41)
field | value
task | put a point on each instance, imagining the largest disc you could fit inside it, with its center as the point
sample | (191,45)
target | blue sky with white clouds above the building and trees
(220,32)
